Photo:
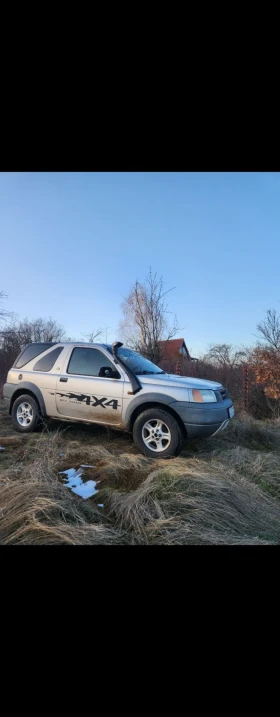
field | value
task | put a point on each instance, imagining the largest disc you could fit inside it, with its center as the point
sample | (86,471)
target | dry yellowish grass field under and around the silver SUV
(220,491)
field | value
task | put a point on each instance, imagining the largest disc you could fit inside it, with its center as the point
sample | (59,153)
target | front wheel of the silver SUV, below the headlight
(159,429)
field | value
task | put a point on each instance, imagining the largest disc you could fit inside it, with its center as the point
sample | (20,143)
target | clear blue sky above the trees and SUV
(72,245)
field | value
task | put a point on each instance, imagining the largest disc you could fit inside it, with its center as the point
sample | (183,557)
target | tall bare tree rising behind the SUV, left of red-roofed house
(145,316)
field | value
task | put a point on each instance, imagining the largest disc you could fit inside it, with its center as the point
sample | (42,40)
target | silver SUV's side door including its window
(87,390)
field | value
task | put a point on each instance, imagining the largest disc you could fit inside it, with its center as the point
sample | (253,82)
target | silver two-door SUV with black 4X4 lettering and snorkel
(114,386)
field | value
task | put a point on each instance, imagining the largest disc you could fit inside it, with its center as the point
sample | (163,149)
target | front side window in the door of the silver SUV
(88,362)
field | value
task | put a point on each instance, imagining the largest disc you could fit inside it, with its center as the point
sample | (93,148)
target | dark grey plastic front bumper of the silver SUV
(203,420)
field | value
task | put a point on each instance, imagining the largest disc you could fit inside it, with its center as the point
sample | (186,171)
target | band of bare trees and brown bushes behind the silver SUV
(146,323)
